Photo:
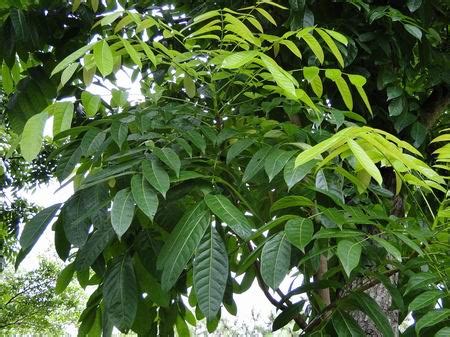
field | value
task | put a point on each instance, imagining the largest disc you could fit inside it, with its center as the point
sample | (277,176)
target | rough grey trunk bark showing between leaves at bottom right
(381,295)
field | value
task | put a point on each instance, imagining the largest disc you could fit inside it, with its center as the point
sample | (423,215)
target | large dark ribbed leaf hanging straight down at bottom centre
(210,273)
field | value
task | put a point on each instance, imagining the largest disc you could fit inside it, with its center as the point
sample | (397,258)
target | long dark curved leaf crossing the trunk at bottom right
(368,305)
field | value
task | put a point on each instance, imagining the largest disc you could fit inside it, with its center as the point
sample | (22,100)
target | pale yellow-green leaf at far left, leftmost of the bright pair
(32,136)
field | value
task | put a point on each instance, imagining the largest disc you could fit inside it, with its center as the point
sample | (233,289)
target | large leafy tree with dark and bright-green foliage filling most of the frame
(271,139)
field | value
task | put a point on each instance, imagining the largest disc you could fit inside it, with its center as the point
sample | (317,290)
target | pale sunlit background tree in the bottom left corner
(30,304)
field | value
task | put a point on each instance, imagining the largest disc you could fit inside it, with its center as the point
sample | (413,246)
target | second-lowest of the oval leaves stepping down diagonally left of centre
(144,196)
